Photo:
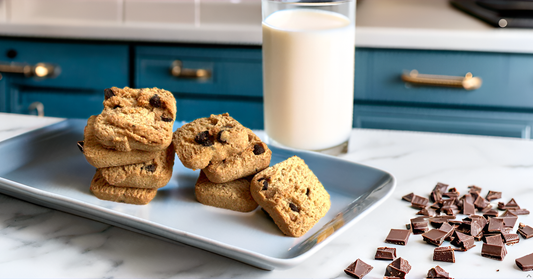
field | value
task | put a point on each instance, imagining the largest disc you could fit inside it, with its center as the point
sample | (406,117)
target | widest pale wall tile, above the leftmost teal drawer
(65,10)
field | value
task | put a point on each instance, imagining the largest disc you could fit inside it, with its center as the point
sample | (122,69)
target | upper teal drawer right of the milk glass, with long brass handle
(507,78)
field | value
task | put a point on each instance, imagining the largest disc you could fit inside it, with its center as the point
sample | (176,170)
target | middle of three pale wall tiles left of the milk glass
(160,11)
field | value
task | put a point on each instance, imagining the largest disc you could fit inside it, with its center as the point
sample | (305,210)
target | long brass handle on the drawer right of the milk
(467,82)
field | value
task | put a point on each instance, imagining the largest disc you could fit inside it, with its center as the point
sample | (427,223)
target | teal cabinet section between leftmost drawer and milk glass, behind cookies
(232,82)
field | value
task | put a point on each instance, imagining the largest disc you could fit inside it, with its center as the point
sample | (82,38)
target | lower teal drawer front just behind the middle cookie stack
(249,112)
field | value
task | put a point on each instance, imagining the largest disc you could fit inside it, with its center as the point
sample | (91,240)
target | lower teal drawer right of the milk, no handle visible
(487,123)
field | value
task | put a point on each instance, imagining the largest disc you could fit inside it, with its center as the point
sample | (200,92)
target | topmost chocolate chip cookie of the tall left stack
(136,119)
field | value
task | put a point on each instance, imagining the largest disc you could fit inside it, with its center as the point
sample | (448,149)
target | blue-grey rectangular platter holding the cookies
(46,167)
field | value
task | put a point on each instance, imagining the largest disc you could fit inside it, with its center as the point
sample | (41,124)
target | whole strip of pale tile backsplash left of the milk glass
(195,12)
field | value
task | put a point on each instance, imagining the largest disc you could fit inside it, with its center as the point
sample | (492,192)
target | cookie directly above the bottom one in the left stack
(152,174)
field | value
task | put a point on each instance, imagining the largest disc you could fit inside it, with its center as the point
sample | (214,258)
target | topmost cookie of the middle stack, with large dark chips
(213,138)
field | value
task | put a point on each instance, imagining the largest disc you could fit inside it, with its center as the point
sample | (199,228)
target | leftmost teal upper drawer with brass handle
(83,65)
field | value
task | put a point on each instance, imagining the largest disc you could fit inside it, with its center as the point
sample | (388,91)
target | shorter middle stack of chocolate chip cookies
(228,155)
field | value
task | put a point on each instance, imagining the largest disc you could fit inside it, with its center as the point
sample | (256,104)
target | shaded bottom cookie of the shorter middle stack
(233,195)
